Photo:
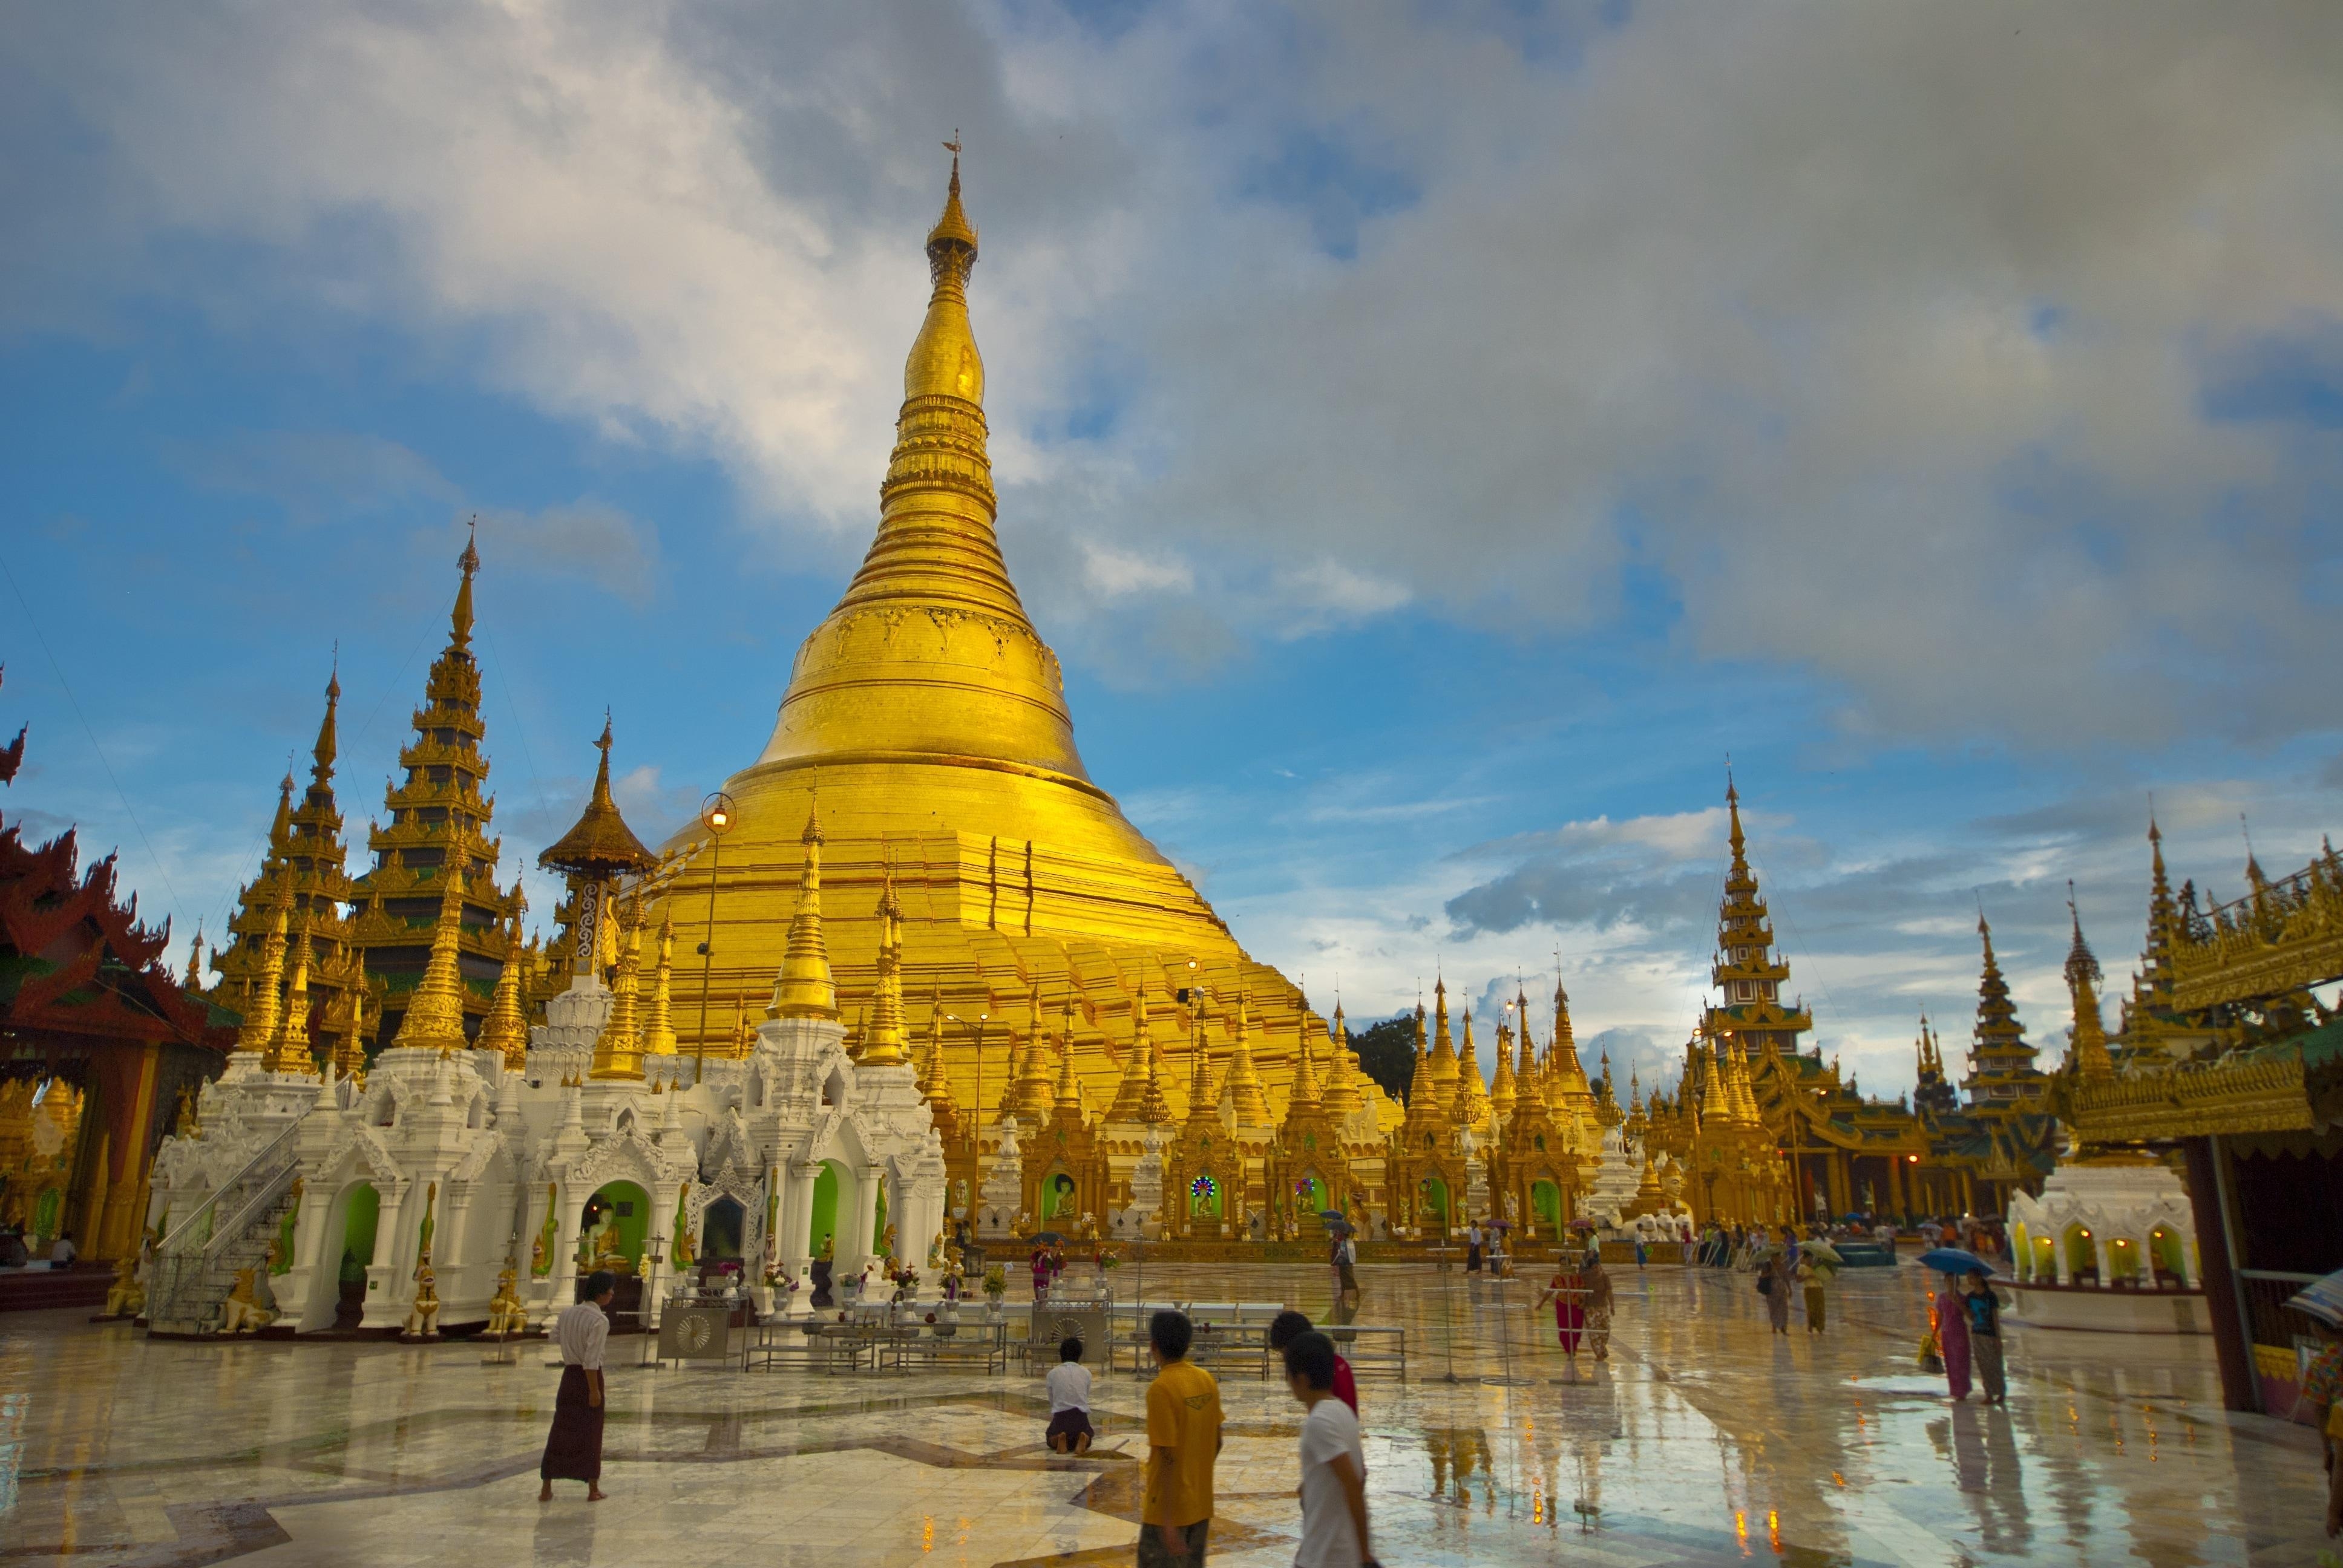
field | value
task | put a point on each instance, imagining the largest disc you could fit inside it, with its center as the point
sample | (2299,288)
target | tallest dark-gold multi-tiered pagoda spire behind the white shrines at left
(439,817)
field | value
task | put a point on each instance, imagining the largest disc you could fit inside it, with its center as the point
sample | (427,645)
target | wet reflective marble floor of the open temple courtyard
(1702,1443)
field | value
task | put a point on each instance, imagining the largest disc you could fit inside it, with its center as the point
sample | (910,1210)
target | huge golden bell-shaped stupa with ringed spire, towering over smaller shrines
(927,730)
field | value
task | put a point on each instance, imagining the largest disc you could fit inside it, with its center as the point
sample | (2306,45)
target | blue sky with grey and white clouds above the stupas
(1435,437)
